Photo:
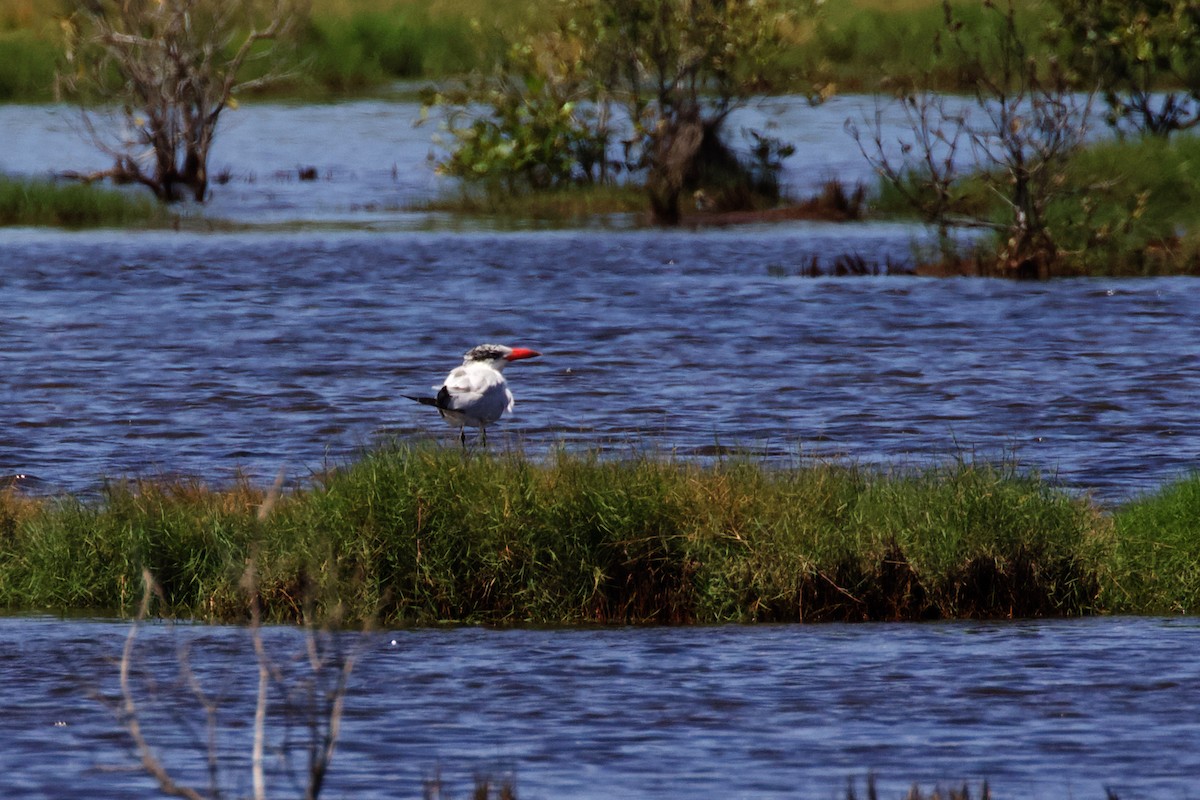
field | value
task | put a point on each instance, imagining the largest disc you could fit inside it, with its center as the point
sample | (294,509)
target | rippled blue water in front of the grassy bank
(1060,709)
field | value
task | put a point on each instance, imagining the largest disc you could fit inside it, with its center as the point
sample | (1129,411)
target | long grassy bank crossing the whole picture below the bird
(429,536)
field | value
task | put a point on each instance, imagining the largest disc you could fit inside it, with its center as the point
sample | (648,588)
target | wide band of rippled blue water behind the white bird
(167,353)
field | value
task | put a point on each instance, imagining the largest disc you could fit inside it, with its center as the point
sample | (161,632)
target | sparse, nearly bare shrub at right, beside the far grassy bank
(1024,123)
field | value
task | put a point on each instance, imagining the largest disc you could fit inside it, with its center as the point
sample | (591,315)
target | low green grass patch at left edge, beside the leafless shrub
(33,202)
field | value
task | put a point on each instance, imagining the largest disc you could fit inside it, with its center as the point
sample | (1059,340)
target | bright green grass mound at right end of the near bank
(1155,566)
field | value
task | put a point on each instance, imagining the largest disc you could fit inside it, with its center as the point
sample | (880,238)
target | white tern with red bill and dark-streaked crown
(477,394)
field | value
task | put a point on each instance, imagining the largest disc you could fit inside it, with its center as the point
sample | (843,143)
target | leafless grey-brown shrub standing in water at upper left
(167,69)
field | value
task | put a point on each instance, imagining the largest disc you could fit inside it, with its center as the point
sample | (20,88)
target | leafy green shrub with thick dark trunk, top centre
(671,71)
